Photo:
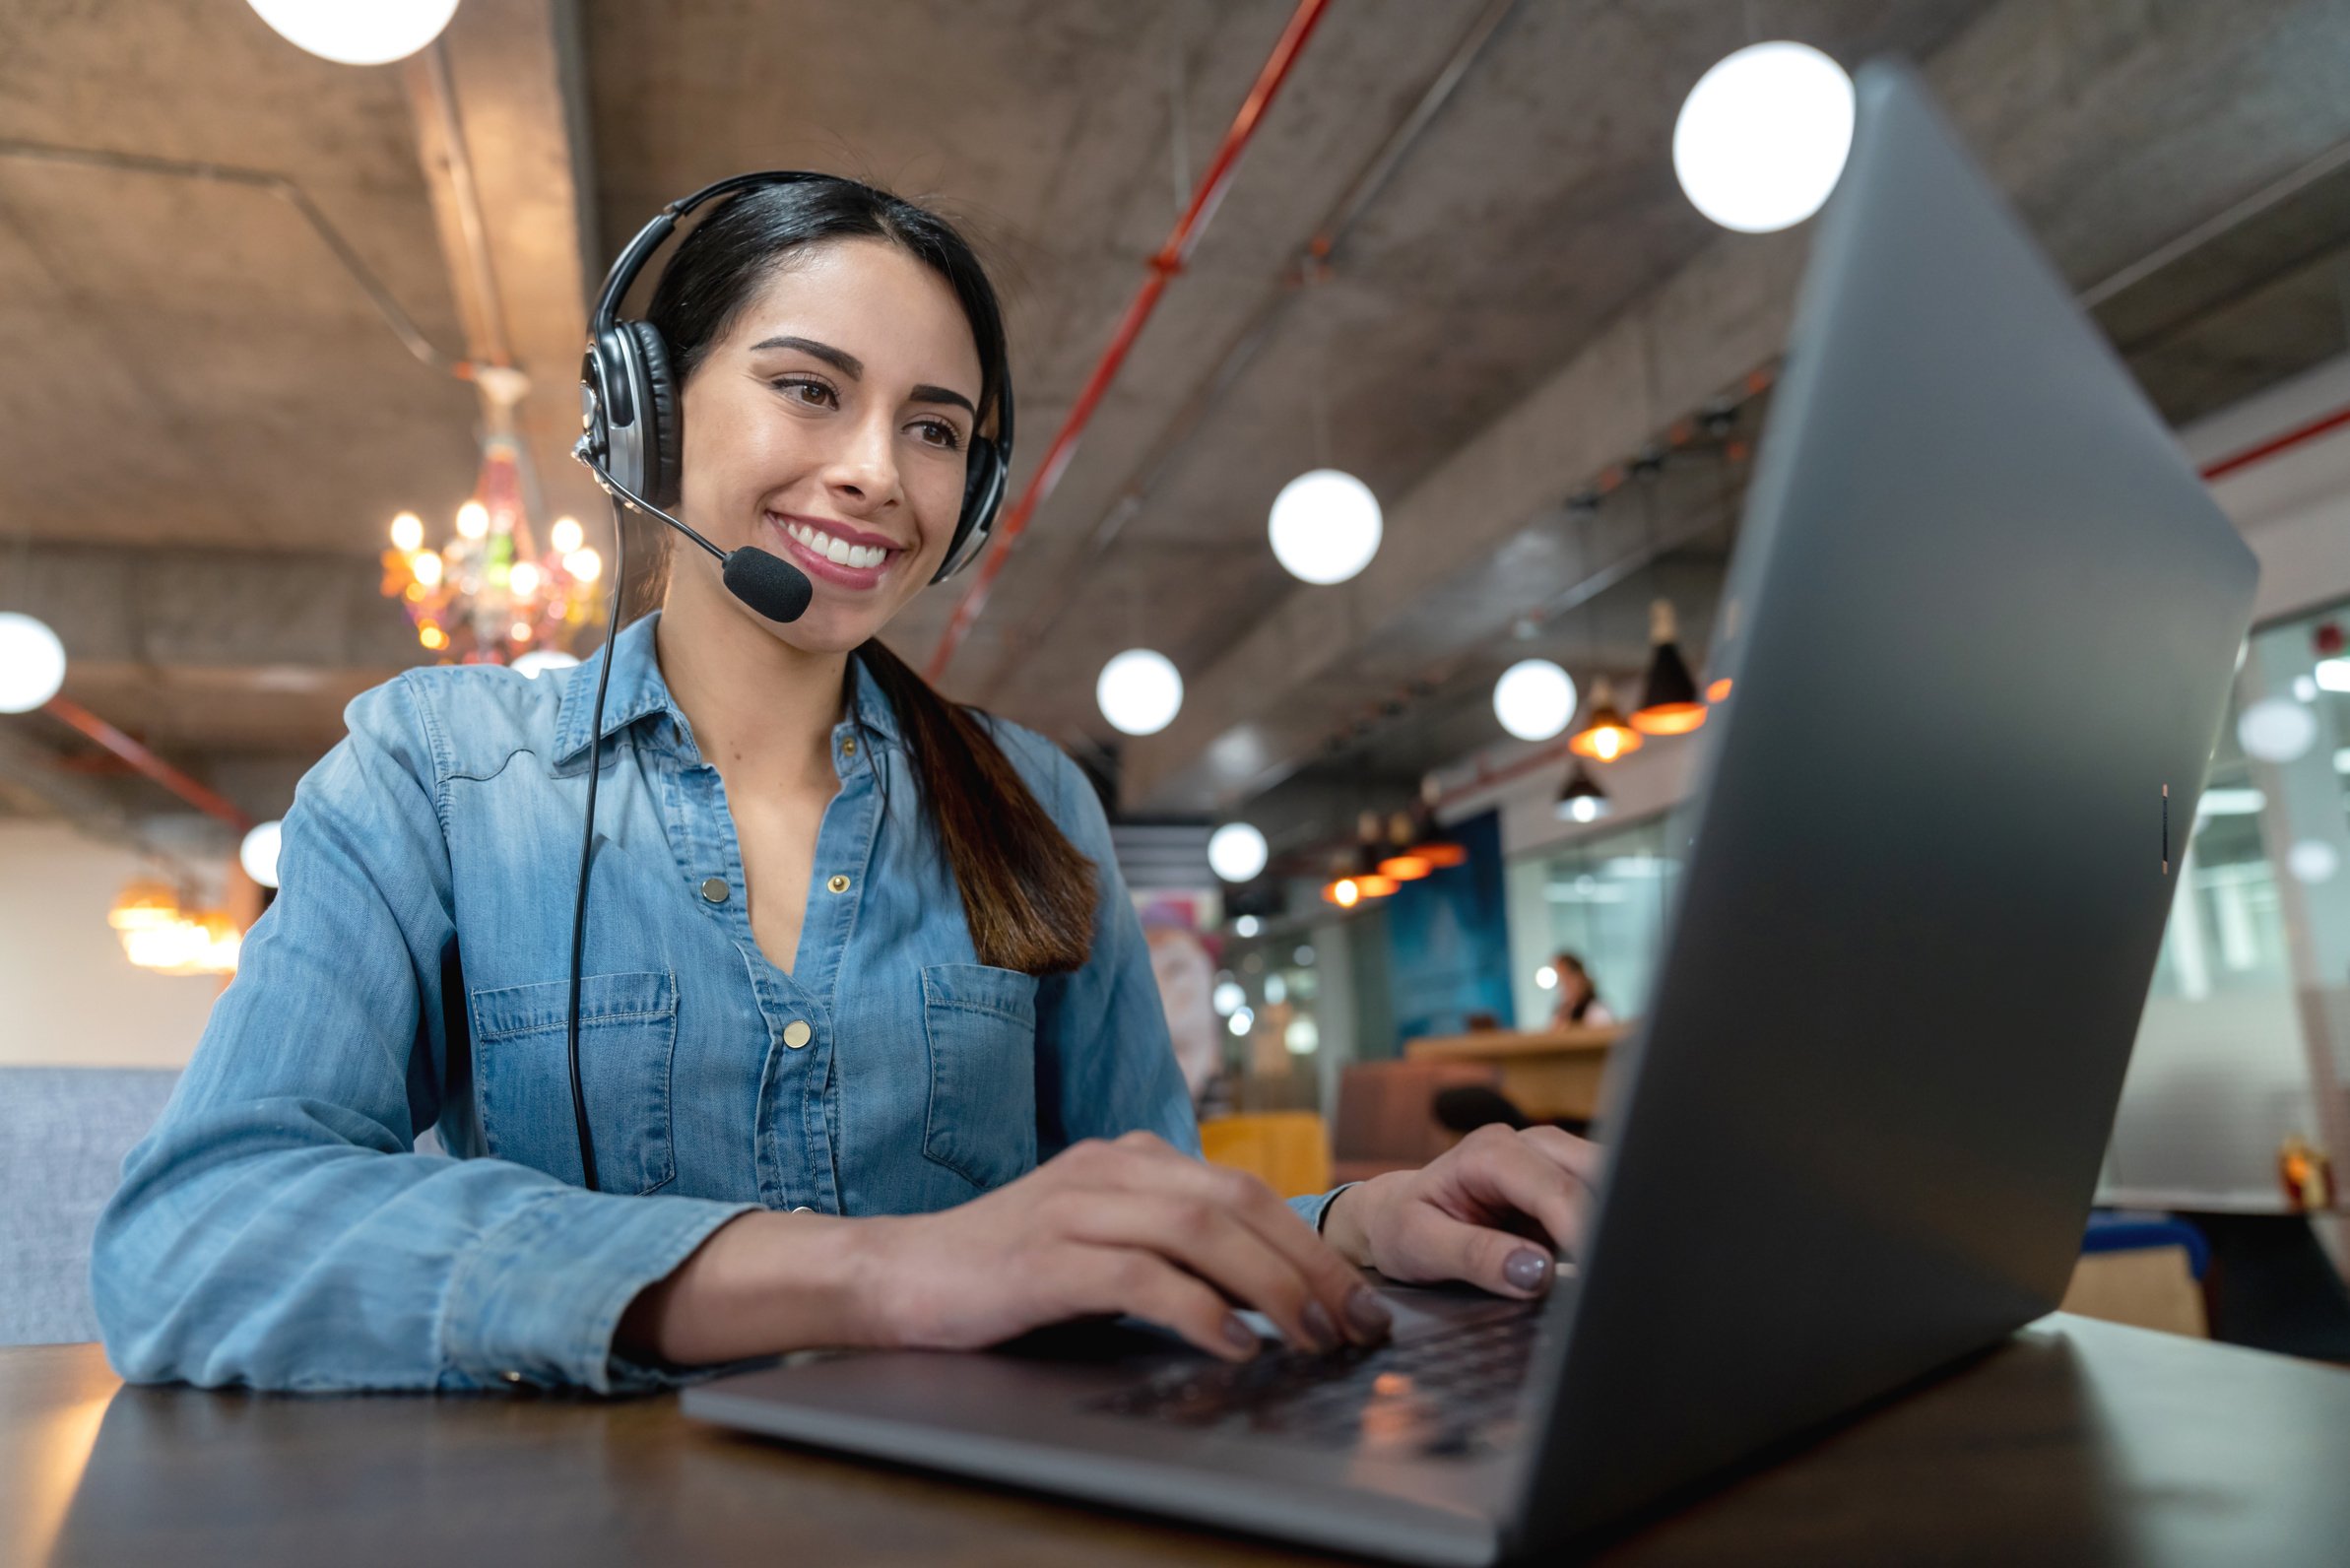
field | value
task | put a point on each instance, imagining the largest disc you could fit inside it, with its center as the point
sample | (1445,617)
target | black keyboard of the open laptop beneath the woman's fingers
(1446,1395)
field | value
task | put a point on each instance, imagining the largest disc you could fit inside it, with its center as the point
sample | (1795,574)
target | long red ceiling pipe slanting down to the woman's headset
(1162,267)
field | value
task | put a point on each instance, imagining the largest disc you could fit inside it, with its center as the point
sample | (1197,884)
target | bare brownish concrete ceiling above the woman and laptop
(210,424)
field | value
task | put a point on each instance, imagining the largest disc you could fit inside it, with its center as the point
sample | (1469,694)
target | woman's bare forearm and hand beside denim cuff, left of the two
(1103,1228)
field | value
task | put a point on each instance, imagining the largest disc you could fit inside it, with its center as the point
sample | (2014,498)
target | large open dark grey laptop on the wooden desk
(1982,626)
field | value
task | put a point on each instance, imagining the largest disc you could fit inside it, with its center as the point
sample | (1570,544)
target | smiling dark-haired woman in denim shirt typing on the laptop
(868,1031)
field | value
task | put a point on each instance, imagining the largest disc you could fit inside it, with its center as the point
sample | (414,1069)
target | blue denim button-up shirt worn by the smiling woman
(281,1228)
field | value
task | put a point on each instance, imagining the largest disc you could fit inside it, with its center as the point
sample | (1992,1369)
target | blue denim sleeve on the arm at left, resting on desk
(278,1228)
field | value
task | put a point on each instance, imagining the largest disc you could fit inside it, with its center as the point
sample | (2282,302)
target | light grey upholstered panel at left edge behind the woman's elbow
(62,1141)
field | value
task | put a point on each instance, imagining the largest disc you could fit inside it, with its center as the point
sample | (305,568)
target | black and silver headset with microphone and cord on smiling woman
(633,443)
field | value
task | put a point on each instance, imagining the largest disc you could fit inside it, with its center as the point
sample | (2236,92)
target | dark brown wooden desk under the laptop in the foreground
(2076,1445)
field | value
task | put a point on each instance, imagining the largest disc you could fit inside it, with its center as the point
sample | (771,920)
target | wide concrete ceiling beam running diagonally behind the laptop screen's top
(2064,100)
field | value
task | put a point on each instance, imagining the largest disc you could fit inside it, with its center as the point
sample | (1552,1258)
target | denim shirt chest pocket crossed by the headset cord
(523,1073)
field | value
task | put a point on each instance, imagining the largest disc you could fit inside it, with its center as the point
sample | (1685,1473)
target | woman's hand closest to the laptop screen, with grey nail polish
(1479,1212)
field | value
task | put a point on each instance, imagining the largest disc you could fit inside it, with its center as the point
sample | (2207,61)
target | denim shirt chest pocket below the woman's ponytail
(981,1031)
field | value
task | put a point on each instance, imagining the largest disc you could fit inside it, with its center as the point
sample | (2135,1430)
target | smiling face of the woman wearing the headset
(831,429)
